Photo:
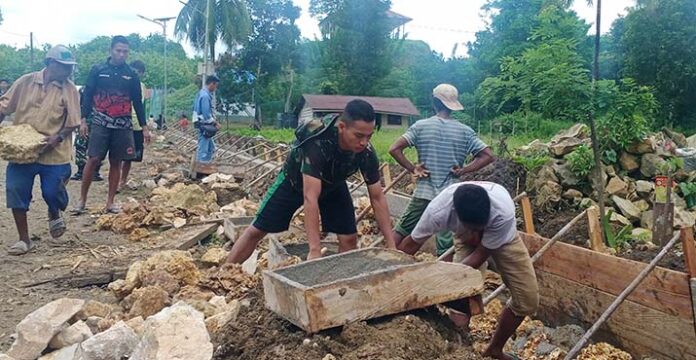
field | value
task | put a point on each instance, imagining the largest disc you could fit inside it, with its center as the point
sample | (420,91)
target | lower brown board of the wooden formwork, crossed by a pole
(640,330)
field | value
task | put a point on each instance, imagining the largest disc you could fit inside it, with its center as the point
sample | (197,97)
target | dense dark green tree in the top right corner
(658,49)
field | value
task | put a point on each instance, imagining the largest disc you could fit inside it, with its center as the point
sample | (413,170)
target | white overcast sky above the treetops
(440,23)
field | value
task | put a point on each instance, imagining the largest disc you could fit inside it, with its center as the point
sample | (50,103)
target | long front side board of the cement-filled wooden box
(388,292)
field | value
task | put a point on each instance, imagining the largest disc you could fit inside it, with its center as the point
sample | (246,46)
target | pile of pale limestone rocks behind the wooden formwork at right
(629,182)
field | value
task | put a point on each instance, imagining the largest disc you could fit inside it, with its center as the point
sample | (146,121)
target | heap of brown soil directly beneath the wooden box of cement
(260,334)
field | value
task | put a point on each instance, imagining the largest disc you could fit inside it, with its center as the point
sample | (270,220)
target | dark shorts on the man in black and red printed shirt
(118,143)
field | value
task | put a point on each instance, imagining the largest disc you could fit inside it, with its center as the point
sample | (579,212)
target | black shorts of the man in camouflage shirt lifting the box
(281,202)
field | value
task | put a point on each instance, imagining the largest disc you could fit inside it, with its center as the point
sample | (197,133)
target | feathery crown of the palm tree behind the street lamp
(229,22)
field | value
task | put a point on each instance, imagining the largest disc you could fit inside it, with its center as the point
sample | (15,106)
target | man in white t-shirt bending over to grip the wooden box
(482,217)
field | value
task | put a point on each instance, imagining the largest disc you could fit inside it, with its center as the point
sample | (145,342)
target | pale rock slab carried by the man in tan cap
(21,143)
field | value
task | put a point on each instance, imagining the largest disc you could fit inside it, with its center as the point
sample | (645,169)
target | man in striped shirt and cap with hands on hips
(443,144)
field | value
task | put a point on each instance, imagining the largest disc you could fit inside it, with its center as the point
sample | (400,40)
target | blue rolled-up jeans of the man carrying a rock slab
(20,182)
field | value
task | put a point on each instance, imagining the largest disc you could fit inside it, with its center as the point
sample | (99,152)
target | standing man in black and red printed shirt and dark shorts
(111,93)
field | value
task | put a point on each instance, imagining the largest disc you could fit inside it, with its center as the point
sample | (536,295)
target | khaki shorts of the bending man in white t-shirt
(515,267)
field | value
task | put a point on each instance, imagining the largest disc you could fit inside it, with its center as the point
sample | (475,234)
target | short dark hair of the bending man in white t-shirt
(472,204)
